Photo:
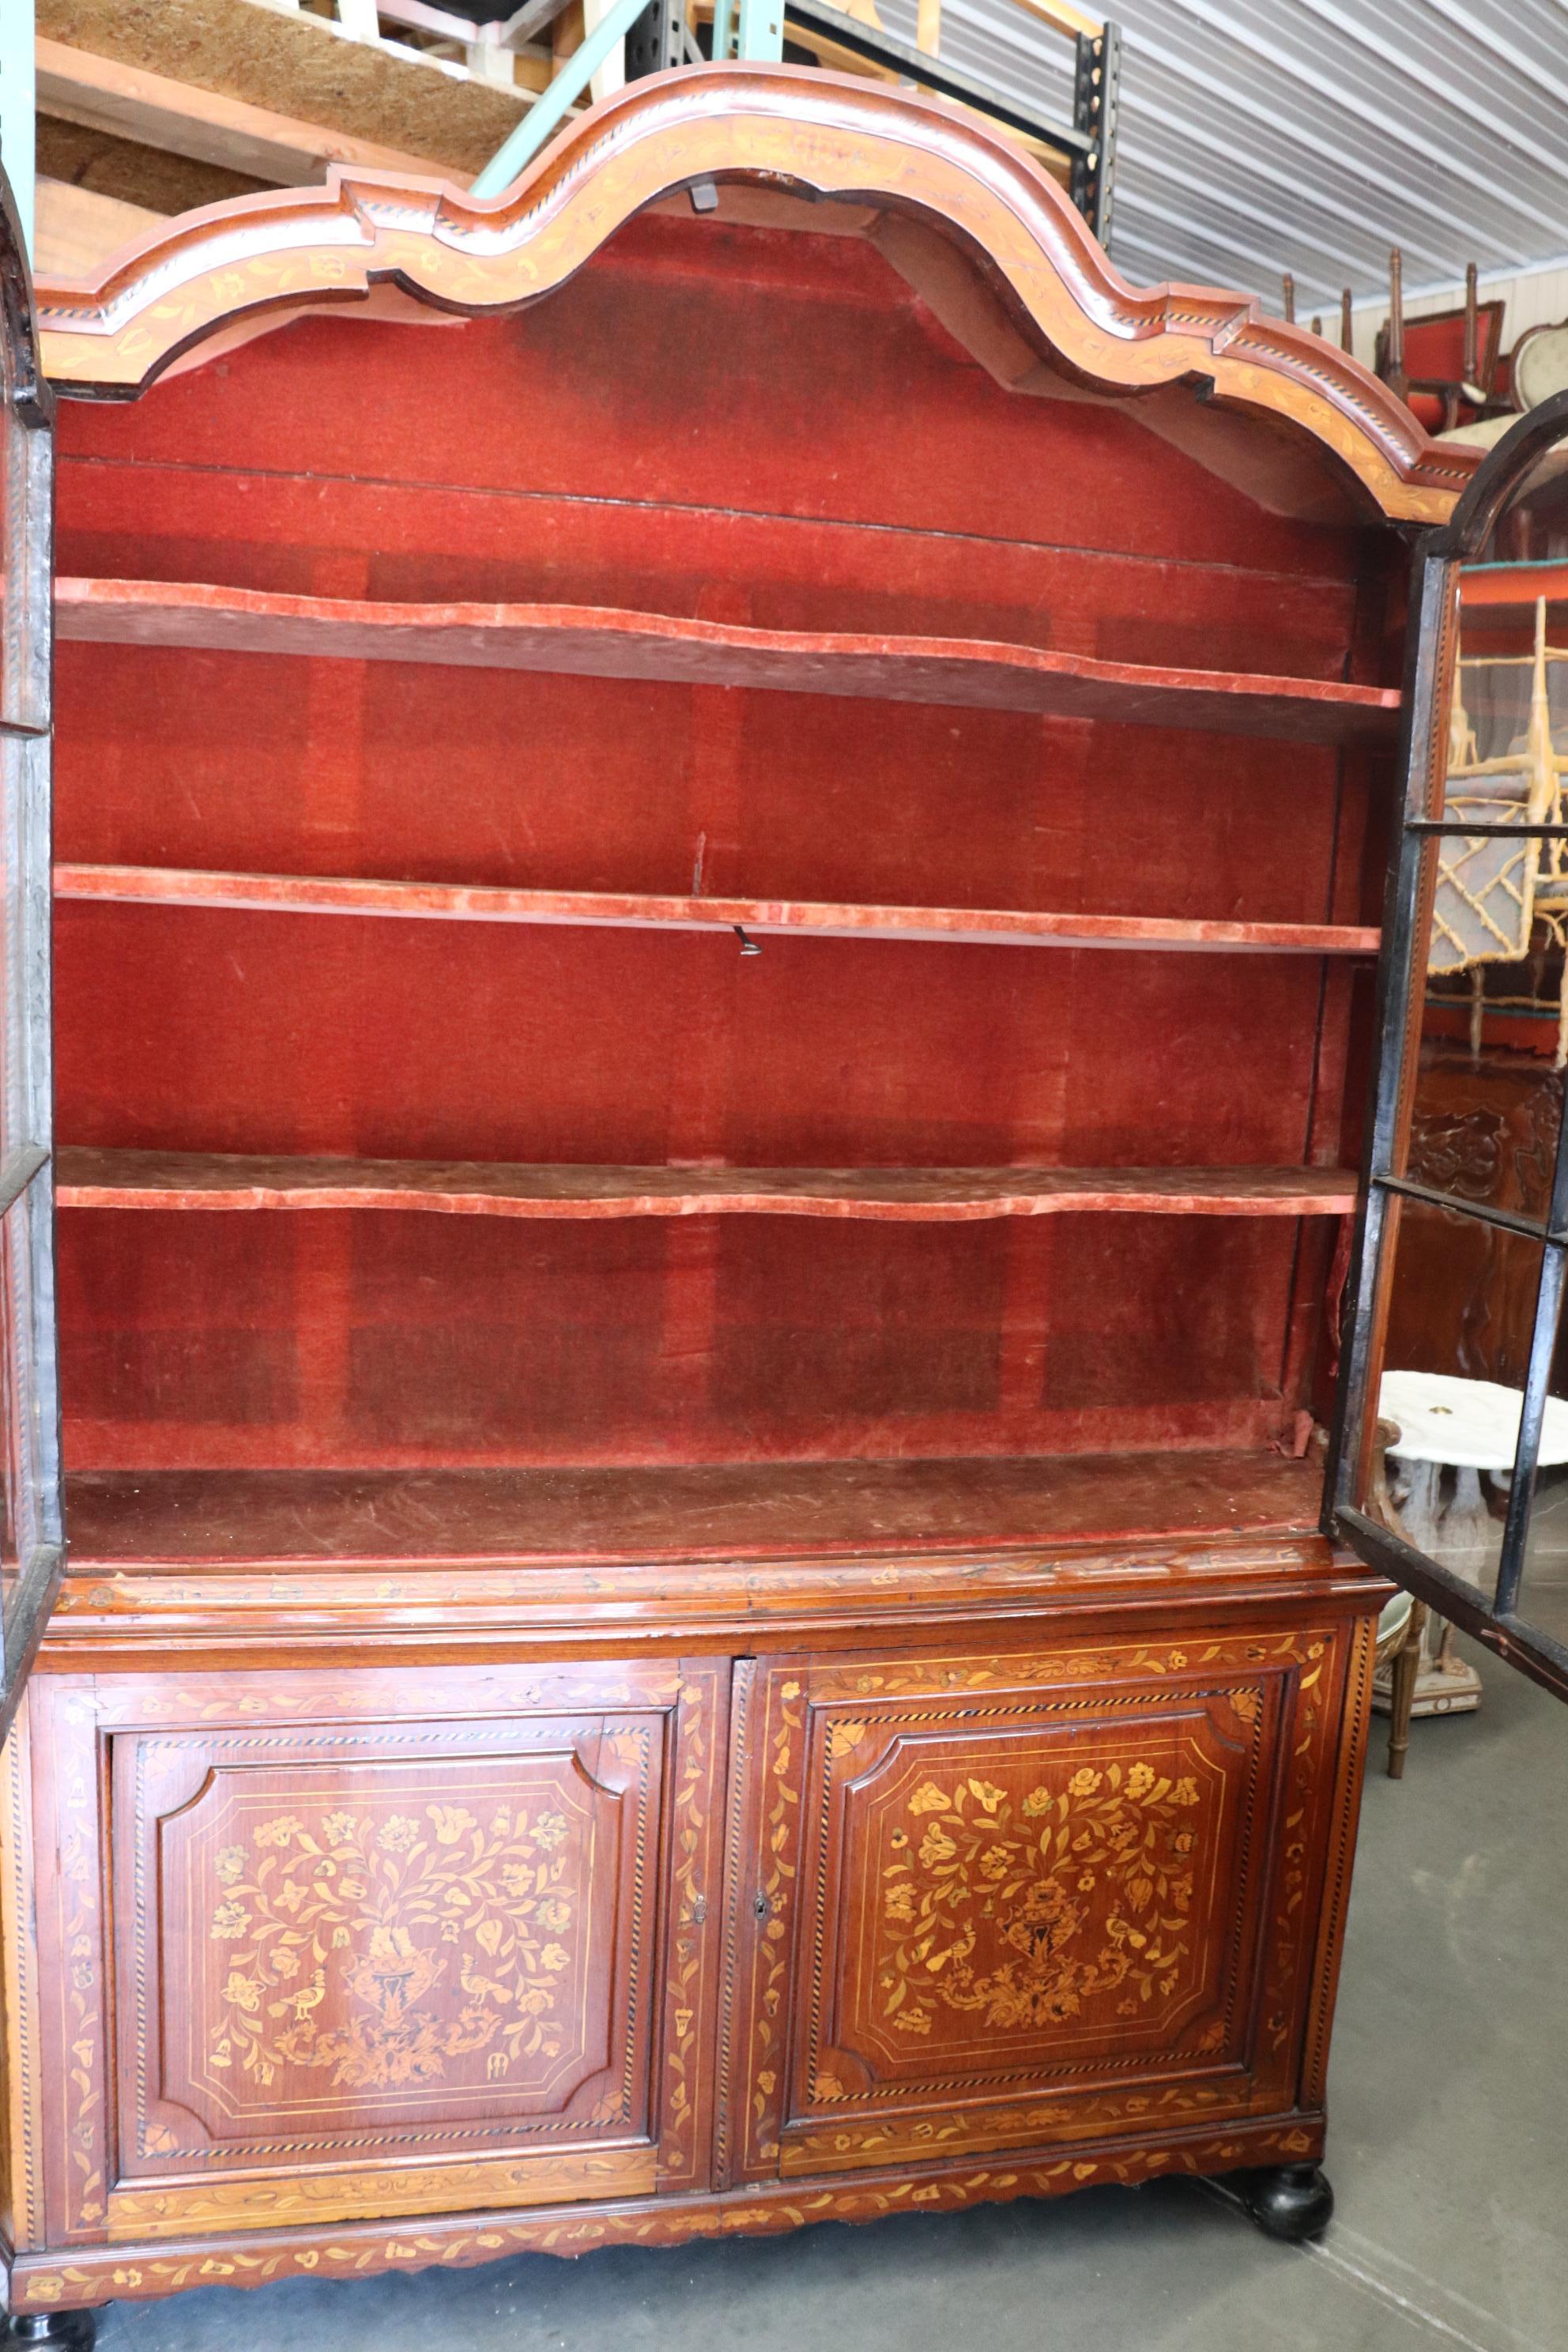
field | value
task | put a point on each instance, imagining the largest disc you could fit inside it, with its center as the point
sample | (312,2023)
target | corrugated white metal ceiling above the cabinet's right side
(1311,135)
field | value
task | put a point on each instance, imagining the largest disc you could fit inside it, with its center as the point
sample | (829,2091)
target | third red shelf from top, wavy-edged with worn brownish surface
(123,1180)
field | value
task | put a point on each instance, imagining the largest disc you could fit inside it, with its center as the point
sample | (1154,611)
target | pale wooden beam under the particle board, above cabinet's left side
(201,123)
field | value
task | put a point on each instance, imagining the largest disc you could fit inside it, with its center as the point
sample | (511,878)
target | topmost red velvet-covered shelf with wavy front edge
(610,643)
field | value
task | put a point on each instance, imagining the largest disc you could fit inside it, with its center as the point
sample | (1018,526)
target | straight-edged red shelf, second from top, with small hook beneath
(624,911)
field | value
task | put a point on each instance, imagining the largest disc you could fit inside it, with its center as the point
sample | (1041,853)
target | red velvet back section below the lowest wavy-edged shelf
(391,1339)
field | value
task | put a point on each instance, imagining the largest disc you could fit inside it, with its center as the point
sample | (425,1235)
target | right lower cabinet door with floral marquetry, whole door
(1031,1899)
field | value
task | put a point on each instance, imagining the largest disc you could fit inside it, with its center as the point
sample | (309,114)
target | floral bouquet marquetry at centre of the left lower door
(387,1913)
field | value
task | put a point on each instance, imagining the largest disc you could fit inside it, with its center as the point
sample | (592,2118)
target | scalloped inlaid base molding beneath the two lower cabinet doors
(361,2250)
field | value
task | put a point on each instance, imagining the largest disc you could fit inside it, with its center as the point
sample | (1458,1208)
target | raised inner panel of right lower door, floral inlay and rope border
(1024,1895)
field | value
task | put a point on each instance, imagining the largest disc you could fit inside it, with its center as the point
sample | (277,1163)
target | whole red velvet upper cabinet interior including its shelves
(709,1095)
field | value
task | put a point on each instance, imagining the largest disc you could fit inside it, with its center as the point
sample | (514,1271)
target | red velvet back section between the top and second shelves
(356,768)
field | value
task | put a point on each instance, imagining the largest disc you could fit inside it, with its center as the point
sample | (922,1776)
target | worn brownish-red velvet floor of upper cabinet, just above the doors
(681,1511)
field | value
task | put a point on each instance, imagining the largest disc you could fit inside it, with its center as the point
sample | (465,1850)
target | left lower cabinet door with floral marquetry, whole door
(373,1944)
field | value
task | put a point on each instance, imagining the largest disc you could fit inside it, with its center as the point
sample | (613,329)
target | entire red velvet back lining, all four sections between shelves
(758,429)
